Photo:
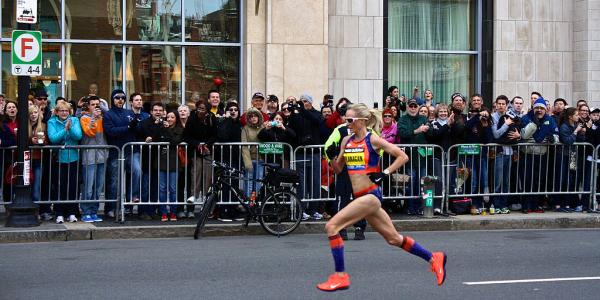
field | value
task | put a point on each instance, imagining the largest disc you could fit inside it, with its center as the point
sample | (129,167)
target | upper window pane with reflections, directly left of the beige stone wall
(212,21)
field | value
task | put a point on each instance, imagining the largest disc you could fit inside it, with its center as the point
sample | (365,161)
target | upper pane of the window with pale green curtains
(431,25)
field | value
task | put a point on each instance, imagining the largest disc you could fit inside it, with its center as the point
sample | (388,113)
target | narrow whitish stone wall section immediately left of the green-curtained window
(356,50)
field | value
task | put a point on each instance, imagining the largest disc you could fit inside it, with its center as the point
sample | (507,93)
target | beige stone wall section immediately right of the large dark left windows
(286,48)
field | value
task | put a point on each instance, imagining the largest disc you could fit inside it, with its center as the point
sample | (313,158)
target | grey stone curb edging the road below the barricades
(90,232)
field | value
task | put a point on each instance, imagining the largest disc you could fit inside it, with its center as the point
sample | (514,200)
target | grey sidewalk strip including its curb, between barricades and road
(133,229)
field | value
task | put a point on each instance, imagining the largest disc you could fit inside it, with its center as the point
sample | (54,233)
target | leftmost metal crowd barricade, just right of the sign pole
(54,180)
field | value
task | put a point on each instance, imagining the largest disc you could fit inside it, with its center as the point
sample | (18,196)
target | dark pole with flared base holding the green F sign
(22,212)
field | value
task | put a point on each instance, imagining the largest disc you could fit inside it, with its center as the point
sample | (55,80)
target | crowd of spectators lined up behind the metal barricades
(165,174)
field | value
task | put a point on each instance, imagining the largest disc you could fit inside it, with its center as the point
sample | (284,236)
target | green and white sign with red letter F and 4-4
(26,53)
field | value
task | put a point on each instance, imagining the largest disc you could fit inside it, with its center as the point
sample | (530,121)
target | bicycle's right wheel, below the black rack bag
(280,213)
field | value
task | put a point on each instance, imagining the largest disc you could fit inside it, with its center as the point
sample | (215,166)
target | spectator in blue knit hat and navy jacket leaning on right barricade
(538,127)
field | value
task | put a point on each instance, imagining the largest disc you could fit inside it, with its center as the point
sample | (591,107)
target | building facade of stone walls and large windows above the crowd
(177,50)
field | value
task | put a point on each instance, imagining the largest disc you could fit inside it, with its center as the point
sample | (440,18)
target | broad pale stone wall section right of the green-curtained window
(533,49)
